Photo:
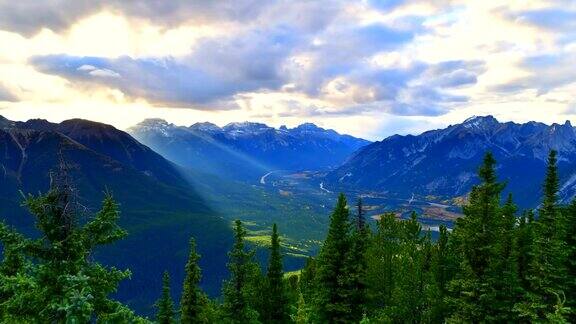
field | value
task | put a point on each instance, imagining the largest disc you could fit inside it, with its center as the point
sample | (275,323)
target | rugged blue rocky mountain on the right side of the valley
(444,162)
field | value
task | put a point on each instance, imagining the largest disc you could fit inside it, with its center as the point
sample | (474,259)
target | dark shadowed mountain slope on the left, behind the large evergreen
(160,210)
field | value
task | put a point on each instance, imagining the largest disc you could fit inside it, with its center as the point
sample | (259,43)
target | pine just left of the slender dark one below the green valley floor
(238,290)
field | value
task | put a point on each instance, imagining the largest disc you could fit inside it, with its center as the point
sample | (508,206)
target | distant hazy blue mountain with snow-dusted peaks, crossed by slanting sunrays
(246,150)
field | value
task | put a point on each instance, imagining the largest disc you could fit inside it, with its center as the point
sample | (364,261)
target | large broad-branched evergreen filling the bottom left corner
(52,276)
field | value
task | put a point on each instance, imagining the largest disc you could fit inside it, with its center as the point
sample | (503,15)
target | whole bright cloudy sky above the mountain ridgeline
(369,68)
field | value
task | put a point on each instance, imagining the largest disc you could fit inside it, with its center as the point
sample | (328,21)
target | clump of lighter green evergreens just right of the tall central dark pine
(401,282)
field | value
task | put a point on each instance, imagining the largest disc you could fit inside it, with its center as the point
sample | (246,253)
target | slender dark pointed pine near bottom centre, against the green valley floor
(276,303)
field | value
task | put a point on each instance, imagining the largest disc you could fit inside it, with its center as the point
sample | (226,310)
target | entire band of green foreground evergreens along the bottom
(495,266)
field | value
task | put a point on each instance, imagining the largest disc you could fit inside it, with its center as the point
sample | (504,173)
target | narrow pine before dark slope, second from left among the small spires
(193,301)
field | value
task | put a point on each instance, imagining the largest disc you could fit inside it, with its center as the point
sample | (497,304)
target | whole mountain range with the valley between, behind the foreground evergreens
(176,182)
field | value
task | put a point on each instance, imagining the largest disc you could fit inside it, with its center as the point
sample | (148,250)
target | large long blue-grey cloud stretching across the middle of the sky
(217,69)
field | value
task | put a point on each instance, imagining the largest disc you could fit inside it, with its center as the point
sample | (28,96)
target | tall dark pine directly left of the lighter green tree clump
(332,299)
